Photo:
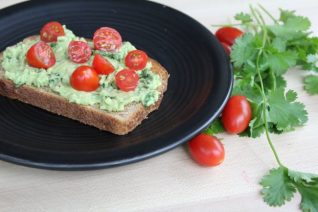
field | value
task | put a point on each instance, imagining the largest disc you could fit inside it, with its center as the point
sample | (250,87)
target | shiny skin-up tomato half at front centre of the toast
(84,78)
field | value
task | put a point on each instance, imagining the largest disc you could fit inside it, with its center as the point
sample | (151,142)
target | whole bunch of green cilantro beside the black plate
(260,59)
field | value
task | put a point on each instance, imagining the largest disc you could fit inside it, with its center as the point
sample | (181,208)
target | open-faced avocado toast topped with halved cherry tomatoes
(104,82)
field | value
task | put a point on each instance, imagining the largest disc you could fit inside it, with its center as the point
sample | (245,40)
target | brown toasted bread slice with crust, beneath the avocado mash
(119,123)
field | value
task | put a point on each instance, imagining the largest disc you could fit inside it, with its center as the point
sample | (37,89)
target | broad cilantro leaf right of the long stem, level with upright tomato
(284,113)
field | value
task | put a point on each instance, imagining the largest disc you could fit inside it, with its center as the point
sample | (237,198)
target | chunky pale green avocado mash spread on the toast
(56,79)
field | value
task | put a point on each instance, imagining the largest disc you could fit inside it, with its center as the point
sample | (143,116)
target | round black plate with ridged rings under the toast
(199,85)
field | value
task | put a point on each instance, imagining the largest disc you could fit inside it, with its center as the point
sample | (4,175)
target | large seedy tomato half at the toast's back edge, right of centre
(107,39)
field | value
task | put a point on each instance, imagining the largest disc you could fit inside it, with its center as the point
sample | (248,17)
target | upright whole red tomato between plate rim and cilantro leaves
(236,115)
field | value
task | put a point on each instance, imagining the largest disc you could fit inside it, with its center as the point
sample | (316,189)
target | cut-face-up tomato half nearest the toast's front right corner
(127,80)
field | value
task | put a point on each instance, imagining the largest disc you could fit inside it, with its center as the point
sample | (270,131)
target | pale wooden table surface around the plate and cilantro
(172,182)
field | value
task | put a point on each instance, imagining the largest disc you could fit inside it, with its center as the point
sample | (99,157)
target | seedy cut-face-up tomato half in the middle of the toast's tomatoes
(79,51)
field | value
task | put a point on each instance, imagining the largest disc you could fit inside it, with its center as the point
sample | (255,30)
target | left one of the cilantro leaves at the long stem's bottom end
(277,188)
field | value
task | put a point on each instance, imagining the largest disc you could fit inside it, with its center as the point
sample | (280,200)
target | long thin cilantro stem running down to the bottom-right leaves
(258,17)
